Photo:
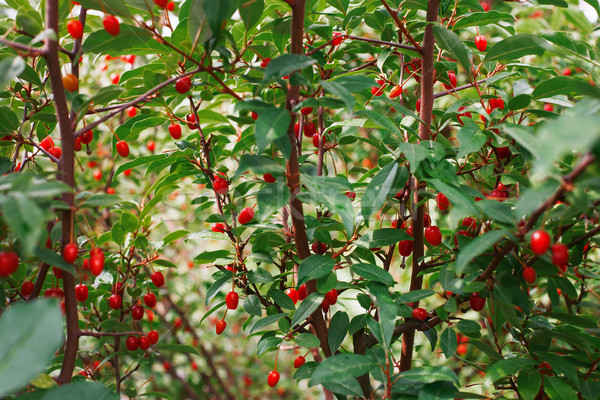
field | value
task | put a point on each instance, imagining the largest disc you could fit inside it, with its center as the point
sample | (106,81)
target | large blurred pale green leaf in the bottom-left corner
(31,333)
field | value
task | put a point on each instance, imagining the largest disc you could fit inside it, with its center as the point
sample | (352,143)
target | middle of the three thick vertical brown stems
(293,176)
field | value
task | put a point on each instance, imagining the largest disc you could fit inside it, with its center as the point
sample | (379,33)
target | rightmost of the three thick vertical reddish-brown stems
(427,98)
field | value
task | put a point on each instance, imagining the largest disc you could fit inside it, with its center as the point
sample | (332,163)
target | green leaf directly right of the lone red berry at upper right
(515,47)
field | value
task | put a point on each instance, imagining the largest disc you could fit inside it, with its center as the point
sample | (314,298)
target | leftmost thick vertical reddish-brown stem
(66,167)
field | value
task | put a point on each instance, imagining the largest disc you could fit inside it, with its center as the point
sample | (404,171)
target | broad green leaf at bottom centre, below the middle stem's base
(341,367)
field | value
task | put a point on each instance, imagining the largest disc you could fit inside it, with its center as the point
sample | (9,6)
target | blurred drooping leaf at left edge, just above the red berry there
(25,218)
